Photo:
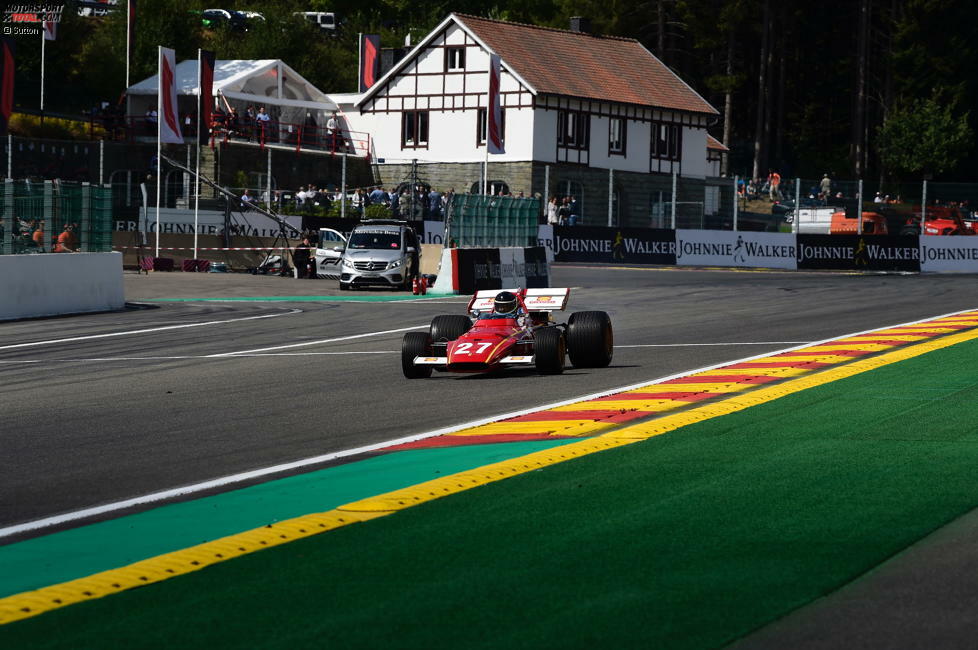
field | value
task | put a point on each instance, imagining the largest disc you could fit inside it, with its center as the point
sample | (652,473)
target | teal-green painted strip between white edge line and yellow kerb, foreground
(79,552)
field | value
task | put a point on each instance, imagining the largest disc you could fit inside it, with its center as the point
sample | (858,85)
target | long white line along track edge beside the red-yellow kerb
(231,479)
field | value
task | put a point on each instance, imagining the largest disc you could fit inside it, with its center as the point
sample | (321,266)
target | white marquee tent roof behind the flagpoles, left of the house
(286,95)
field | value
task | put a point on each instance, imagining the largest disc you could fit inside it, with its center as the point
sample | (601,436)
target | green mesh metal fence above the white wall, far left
(34,215)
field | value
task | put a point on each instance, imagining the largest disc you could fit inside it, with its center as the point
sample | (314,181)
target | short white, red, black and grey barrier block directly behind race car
(467,270)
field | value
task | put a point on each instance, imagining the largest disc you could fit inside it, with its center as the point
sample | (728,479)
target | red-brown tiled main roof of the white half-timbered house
(605,68)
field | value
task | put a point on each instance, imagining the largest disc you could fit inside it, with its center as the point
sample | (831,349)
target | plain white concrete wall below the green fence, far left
(60,283)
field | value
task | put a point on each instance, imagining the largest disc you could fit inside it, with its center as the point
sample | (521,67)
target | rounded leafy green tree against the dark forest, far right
(924,137)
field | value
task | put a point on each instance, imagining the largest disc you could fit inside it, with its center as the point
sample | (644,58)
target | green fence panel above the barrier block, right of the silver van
(476,220)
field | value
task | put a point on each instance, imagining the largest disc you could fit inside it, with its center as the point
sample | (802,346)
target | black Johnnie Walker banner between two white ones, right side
(859,252)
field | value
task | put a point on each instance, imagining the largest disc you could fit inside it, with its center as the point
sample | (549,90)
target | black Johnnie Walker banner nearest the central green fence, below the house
(603,245)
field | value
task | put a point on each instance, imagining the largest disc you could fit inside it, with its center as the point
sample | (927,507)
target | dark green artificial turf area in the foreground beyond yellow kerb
(688,540)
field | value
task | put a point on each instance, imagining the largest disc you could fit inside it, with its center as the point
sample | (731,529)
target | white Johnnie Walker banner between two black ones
(773,250)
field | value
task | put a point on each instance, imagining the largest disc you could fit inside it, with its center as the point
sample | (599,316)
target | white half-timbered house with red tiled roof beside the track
(575,106)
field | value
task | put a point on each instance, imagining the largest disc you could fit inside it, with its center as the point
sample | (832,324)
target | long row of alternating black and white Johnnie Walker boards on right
(749,249)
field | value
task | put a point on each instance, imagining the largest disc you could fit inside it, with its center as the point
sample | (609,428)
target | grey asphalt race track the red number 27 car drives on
(96,420)
